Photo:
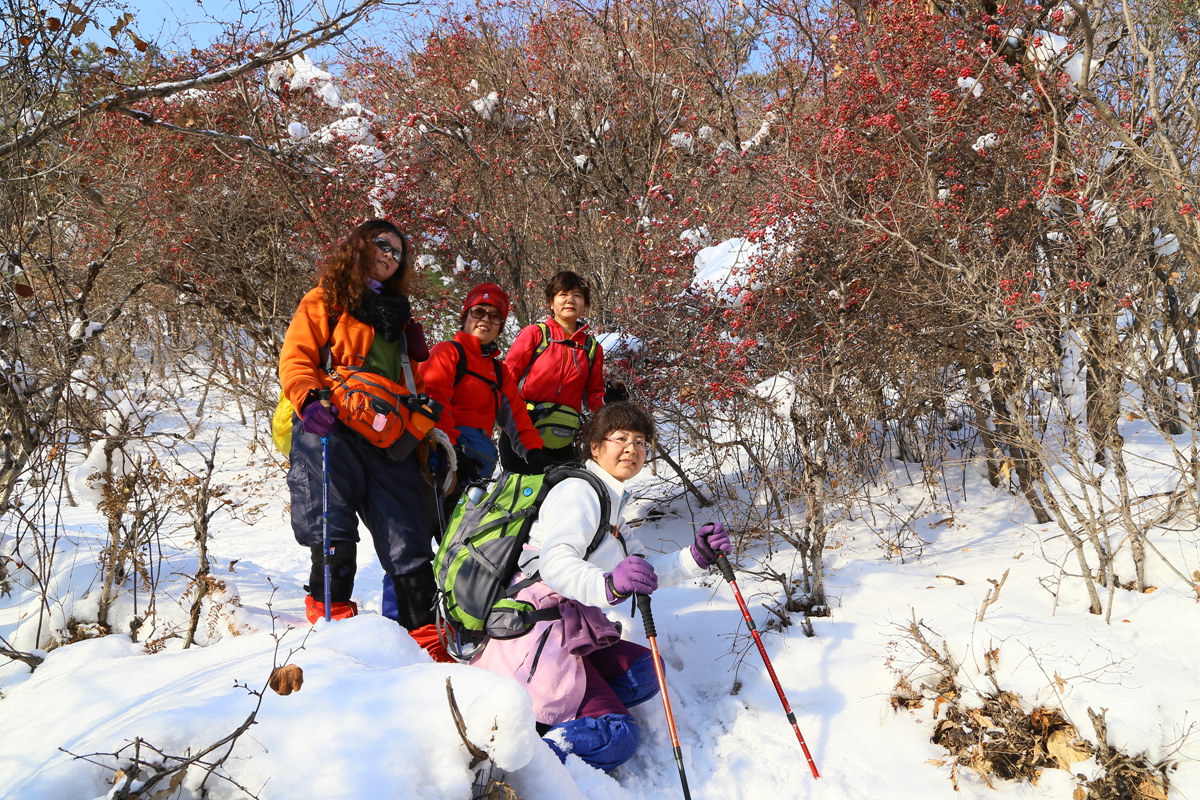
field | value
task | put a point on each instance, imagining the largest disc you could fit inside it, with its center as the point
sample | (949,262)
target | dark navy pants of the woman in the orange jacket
(391,497)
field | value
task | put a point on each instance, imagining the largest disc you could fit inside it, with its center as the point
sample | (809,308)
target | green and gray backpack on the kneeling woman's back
(481,554)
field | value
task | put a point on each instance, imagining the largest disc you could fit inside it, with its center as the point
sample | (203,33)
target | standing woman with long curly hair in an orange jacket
(358,324)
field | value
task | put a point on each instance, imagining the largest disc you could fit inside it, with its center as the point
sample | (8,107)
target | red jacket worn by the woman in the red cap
(473,402)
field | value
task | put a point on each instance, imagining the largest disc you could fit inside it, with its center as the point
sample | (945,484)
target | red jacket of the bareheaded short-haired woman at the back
(562,374)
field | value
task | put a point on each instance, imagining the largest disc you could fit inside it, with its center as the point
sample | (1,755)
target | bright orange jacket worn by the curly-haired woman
(301,359)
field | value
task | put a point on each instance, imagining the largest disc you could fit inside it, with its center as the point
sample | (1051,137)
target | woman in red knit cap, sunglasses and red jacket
(469,378)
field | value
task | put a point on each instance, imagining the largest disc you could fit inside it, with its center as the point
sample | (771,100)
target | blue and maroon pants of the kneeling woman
(605,735)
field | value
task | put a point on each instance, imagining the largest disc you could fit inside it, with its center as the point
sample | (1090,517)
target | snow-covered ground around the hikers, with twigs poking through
(373,719)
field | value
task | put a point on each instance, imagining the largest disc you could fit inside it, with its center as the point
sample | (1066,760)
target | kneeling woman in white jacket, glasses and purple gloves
(583,677)
